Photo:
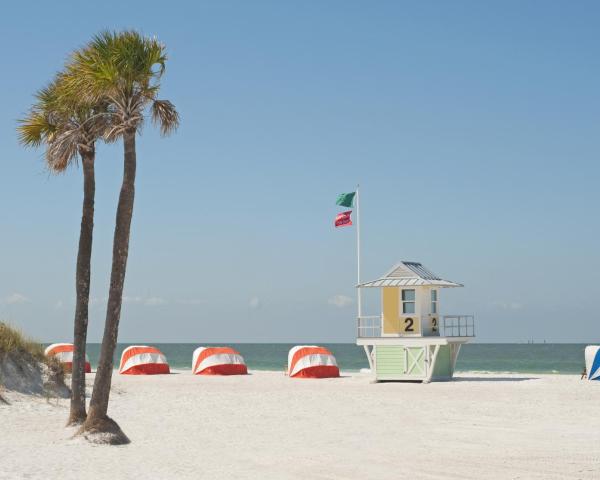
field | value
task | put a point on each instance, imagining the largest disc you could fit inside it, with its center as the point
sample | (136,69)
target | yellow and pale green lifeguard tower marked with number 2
(410,340)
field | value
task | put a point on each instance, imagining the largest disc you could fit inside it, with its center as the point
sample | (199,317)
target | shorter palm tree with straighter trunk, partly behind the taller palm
(69,130)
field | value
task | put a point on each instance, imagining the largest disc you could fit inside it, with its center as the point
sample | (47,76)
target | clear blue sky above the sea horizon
(472,128)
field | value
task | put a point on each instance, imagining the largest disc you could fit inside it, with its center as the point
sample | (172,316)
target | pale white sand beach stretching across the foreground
(267,426)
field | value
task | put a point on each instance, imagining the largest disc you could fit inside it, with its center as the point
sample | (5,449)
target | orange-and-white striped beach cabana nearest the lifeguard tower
(310,361)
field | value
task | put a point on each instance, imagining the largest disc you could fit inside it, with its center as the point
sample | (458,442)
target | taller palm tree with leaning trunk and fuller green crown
(123,69)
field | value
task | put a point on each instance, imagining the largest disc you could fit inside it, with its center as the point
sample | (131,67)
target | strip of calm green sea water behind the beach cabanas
(519,358)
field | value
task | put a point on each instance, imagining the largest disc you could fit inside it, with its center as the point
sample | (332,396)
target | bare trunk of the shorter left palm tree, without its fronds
(77,414)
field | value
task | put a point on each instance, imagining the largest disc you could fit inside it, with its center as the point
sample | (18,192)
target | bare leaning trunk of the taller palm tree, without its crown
(98,420)
